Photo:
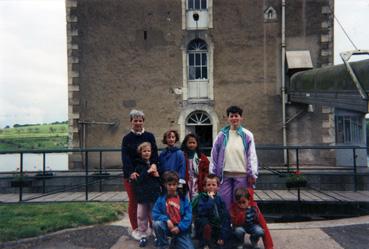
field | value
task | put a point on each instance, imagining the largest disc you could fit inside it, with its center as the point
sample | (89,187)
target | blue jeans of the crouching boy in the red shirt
(179,241)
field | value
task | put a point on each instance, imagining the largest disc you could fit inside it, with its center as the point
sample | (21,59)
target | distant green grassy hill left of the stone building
(42,136)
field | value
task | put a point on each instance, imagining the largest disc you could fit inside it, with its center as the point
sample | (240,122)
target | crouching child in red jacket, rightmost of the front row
(247,218)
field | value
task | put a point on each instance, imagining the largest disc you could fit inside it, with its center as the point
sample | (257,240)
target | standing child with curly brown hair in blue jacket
(172,158)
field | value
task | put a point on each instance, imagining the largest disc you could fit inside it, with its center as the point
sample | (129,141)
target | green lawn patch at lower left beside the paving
(30,220)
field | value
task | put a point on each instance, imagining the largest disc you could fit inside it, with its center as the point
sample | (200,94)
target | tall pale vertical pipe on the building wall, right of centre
(283,83)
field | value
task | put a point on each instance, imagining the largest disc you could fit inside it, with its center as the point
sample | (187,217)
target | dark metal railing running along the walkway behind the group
(293,163)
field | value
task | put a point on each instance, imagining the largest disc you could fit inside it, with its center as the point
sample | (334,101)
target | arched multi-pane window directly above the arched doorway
(197,60)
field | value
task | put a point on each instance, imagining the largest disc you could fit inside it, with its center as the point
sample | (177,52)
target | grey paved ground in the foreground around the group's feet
(336,234)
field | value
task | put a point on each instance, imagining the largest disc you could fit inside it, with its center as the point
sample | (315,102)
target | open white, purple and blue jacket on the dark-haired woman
(218,150)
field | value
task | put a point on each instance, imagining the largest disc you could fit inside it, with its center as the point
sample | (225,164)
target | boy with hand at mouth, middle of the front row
(211,215)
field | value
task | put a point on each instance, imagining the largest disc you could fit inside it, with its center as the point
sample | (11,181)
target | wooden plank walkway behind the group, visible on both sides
(261,195)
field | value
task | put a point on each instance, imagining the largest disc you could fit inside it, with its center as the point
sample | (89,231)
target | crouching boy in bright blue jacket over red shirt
(172,216)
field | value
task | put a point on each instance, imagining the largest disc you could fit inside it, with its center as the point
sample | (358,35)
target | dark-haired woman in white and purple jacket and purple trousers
(233,156)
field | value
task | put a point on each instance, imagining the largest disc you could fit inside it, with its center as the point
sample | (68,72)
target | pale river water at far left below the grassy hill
(33,162)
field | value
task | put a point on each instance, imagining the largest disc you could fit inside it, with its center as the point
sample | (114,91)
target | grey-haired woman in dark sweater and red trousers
(130,143)
